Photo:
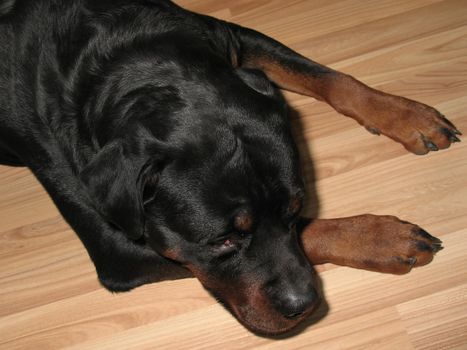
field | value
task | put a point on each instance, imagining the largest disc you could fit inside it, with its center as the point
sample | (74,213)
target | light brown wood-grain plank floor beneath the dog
(49,295)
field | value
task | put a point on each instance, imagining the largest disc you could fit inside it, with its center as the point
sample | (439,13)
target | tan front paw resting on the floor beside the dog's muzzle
(370,242)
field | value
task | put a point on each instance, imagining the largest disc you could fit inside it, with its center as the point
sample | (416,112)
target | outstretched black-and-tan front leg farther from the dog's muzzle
(420,128)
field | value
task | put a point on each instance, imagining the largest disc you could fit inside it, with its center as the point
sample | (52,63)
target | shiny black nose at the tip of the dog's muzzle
(294,305)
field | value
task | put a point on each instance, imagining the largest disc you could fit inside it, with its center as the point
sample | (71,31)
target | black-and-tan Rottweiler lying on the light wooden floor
(163,139)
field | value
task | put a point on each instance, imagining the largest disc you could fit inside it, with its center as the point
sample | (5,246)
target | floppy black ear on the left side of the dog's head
(113,180)
